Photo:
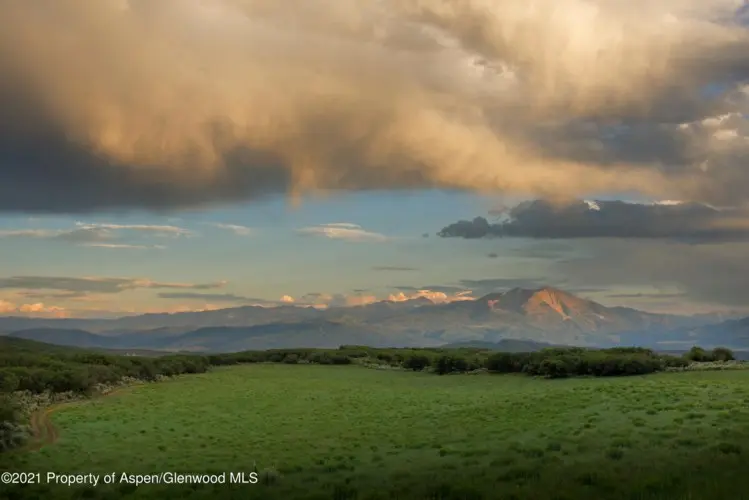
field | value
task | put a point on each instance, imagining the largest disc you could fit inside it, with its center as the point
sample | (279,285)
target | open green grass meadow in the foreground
(343,432)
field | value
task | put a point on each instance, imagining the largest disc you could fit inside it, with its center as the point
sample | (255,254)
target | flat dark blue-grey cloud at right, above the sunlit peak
(690,222)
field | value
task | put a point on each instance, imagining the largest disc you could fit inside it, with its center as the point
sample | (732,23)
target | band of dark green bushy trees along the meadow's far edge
(82,371)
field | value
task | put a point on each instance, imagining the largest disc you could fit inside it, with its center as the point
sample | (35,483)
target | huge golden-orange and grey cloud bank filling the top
(172,103)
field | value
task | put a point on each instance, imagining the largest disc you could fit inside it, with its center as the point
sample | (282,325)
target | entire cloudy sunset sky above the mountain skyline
(189,155)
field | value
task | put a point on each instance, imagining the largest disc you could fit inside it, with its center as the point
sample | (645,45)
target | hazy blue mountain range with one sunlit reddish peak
(544,315)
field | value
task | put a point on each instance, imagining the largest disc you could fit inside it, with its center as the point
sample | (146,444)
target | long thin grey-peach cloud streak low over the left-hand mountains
(95,285)
